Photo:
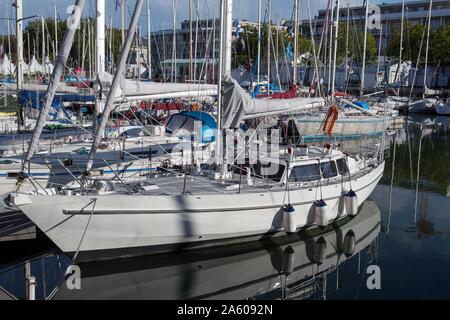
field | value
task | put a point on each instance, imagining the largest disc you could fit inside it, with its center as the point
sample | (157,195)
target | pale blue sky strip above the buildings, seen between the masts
(162,13)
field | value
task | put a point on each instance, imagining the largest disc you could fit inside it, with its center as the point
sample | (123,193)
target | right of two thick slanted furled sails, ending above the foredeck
(118,75)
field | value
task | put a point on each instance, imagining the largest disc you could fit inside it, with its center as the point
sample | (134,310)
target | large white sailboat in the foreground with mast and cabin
(201,207)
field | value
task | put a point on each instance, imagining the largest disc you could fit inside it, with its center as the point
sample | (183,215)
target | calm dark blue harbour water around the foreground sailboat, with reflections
(403,229)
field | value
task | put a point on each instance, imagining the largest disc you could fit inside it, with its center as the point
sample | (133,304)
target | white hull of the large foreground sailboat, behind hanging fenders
(168,222)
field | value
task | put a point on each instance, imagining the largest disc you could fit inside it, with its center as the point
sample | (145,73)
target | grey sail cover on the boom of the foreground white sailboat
(238,105)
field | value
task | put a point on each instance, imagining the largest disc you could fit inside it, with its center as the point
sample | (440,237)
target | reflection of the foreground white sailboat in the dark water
(282,268)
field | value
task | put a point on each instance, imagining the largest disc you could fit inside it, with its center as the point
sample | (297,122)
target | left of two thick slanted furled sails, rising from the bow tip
(58,70)
